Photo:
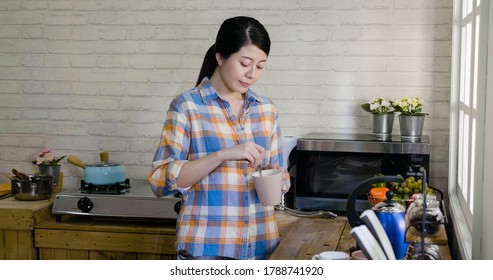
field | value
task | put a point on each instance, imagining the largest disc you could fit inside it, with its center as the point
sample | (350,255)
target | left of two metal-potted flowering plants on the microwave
(382,111)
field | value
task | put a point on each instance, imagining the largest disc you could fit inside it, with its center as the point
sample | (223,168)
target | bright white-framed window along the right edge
(467,127)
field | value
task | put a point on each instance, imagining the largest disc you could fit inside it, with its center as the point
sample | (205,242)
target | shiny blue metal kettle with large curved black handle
(390,213)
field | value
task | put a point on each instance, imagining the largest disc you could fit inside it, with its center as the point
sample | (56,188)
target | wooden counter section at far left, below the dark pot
(17,222)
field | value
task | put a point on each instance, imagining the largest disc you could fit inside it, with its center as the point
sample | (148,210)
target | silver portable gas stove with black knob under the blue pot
(118,201)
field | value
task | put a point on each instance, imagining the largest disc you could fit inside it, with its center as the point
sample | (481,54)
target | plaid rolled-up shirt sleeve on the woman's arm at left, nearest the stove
(172,152)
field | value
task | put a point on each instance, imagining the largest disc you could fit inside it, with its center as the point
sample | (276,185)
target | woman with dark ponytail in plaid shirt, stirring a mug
(214,137)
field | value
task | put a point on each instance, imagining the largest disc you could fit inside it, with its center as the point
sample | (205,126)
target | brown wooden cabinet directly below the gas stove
(83,238)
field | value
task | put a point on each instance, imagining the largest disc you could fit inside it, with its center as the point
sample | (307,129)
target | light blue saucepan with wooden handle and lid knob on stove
(101,173)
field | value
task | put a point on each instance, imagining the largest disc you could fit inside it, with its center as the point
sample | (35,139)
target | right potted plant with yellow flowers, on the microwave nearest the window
(411,117)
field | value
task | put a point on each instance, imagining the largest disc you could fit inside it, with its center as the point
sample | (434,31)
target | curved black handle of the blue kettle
(363,187)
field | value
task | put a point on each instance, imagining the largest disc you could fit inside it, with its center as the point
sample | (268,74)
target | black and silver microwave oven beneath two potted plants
(330,166)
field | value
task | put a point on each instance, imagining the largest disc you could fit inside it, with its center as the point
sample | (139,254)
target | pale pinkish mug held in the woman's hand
(268,186)
